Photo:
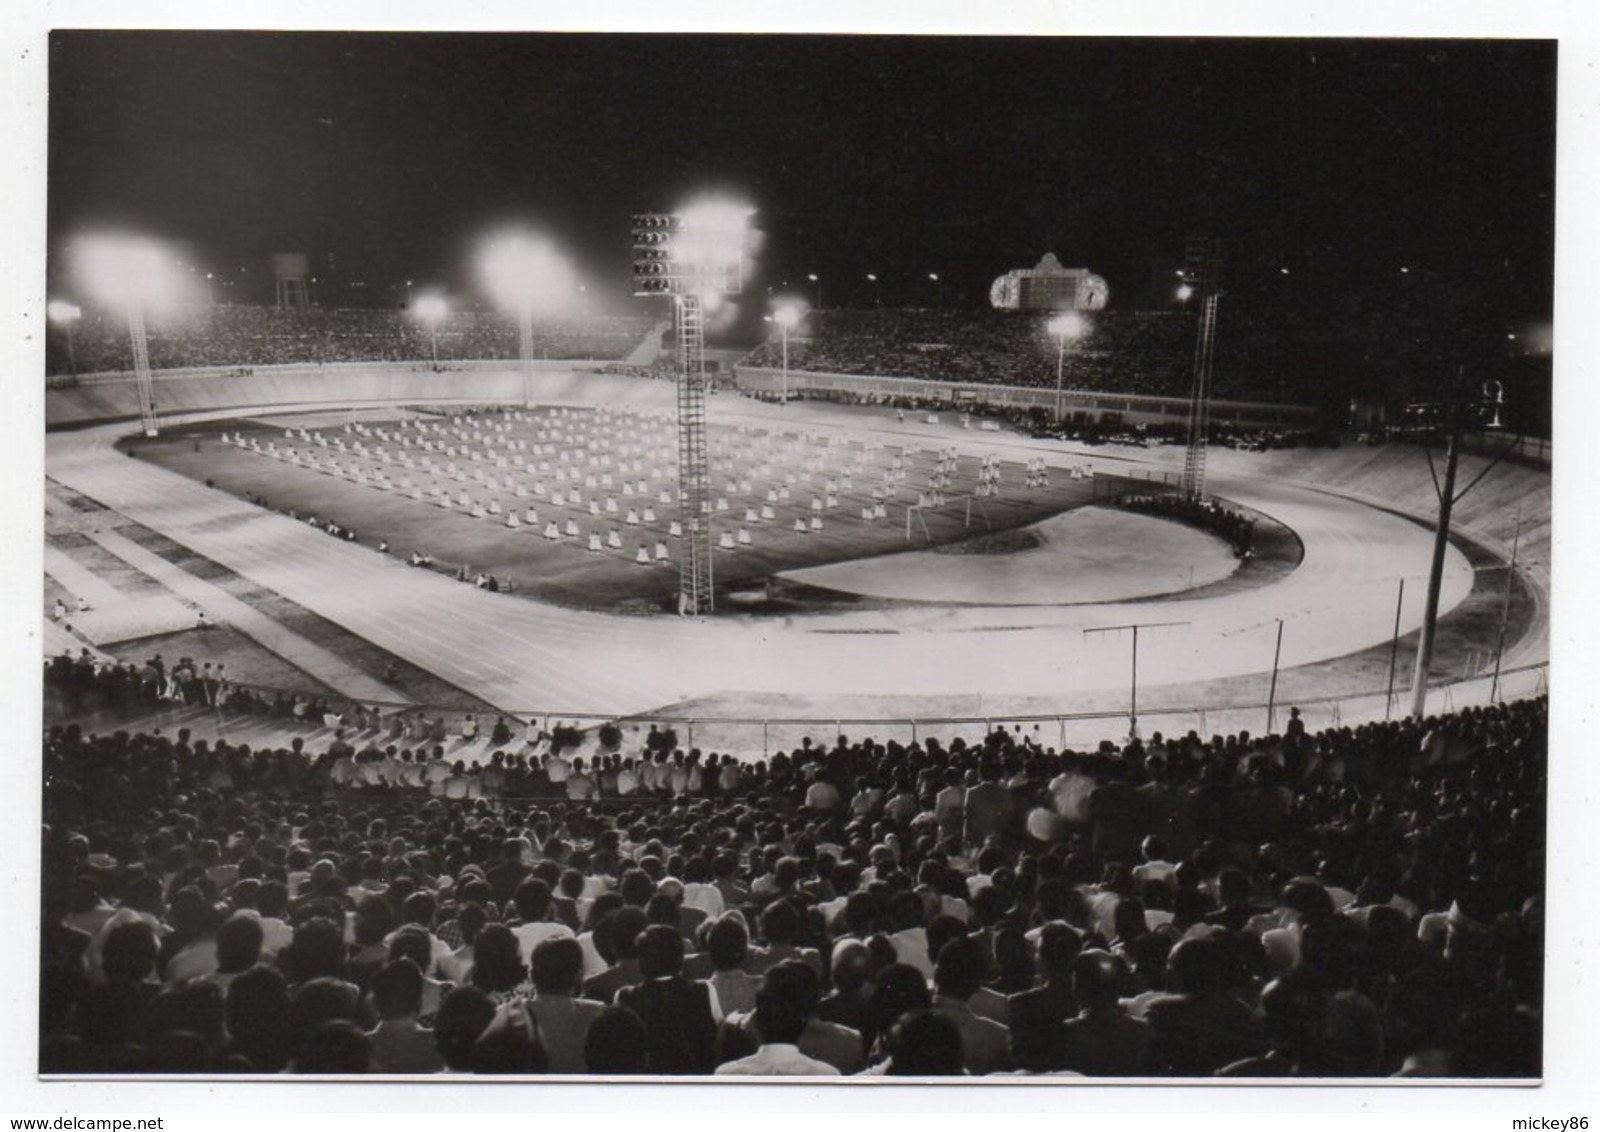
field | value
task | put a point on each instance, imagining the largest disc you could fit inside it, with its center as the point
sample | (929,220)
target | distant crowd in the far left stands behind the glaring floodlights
(268,337)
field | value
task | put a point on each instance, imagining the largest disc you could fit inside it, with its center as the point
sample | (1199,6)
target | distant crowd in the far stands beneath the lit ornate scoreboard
(1127,353)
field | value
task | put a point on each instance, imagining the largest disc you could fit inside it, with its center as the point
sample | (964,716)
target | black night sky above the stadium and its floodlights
(1340,161)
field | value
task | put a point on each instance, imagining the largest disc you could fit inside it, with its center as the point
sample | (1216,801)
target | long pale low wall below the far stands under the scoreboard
(1098,405)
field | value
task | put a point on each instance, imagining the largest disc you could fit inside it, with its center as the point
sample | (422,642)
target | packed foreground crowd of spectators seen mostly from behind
(1358,903)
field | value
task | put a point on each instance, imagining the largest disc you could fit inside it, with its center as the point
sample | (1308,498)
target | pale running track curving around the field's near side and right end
(529,658)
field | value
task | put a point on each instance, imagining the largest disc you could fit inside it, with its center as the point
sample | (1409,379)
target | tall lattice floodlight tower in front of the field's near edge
(695,258)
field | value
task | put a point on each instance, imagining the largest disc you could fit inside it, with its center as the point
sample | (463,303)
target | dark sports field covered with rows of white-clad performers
(564,503)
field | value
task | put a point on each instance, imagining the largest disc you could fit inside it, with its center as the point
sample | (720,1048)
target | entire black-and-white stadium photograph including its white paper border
(689,556)
